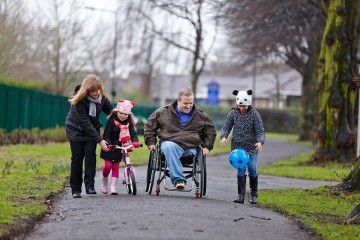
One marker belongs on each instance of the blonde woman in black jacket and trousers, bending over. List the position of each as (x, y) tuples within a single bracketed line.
[(82, 126)]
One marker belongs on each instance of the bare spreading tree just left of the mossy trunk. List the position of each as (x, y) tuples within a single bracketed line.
[(268, 29)]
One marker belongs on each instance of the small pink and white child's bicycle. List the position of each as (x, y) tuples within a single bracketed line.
[(129, 170)]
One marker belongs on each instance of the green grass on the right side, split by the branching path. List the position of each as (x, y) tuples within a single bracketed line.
[(323, 209)]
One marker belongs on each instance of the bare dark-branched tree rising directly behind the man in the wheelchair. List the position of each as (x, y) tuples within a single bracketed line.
[(191, 40)]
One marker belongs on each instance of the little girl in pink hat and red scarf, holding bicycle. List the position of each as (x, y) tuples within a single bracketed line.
[(119, 130)]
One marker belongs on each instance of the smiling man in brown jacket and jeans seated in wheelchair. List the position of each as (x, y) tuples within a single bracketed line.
[(181, 127)]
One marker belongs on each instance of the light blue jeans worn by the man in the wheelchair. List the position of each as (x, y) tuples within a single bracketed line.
[(172, 153)]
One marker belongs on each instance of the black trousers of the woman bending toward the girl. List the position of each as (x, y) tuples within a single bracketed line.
[(79, 152)]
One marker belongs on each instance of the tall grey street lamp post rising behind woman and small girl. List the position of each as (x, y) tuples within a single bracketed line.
[(113, 69)]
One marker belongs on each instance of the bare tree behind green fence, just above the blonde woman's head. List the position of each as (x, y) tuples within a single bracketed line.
[(62, 42)]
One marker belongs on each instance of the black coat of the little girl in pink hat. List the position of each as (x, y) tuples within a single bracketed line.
[(111, 135)]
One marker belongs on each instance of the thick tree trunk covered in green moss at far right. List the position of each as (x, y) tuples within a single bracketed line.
[(334, 86)]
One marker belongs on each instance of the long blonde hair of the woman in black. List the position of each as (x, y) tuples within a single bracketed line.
[(90, 83)]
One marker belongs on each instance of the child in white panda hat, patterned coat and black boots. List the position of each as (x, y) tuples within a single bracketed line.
[(248, 134)]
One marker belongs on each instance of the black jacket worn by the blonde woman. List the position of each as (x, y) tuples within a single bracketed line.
[(80, 126)]
